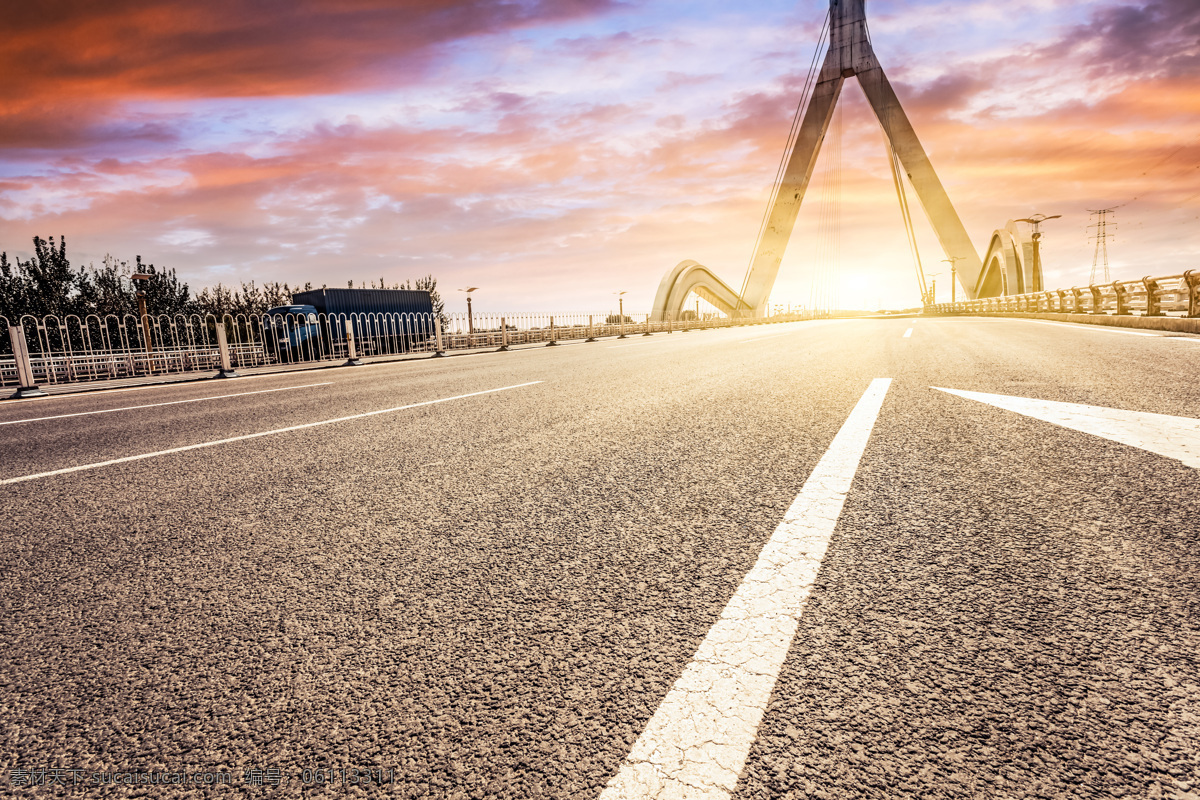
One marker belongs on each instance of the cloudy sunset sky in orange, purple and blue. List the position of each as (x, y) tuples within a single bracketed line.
[(554, 153)]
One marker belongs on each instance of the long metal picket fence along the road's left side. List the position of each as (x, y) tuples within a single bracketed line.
[(68, 351)]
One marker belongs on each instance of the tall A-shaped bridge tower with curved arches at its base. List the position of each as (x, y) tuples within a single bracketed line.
[(850, 55)]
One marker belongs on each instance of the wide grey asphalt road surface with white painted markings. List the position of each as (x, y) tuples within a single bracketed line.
[(497, 576)]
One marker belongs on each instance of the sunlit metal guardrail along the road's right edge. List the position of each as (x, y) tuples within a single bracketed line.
[(1171, 296)]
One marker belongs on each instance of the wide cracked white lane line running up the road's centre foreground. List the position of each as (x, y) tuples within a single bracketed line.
[(697, 743)]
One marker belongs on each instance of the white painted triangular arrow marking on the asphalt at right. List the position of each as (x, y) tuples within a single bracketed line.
[(1175, 437)]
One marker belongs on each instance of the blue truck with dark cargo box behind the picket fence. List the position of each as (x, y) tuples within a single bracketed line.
[(316, 321)]
